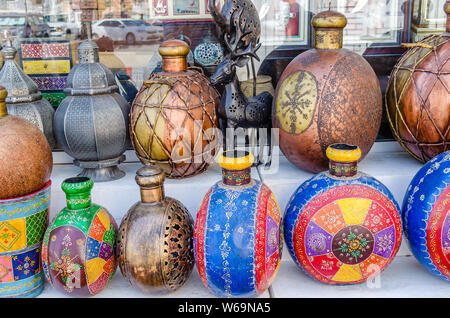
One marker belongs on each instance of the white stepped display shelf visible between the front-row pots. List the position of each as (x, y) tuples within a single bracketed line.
[(387, 162)]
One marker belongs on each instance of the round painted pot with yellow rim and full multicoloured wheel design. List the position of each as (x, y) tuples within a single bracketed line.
[(342, 226)]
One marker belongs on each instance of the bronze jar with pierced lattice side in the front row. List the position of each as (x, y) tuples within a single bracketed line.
[(154, 246)]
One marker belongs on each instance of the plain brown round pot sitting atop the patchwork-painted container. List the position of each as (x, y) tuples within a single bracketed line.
[(25, 156)]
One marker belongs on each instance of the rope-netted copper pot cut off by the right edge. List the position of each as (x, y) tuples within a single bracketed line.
[(418, 96)]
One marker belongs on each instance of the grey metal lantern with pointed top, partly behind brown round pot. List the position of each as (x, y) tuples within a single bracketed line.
[(24, 99)]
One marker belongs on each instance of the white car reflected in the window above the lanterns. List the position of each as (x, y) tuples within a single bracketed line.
[(126, 30)]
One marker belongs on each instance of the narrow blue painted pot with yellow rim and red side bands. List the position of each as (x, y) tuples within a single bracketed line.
[(237, 235)]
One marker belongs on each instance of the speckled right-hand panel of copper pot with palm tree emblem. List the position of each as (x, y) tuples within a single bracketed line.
[(348, 107)]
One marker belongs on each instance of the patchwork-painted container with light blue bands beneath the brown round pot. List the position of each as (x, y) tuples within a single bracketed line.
[(23, 222)]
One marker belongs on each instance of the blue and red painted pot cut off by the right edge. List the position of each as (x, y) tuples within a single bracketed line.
[(426, 215)]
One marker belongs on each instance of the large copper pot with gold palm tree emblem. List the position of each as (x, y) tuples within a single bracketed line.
[(326, 95)]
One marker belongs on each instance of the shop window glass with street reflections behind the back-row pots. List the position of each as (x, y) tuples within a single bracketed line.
[(285, 25)]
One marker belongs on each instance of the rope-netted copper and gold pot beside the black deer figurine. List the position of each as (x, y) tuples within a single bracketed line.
[(172, 116)]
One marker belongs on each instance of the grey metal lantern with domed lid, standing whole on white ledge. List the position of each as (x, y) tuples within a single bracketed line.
[(91, 123)]
